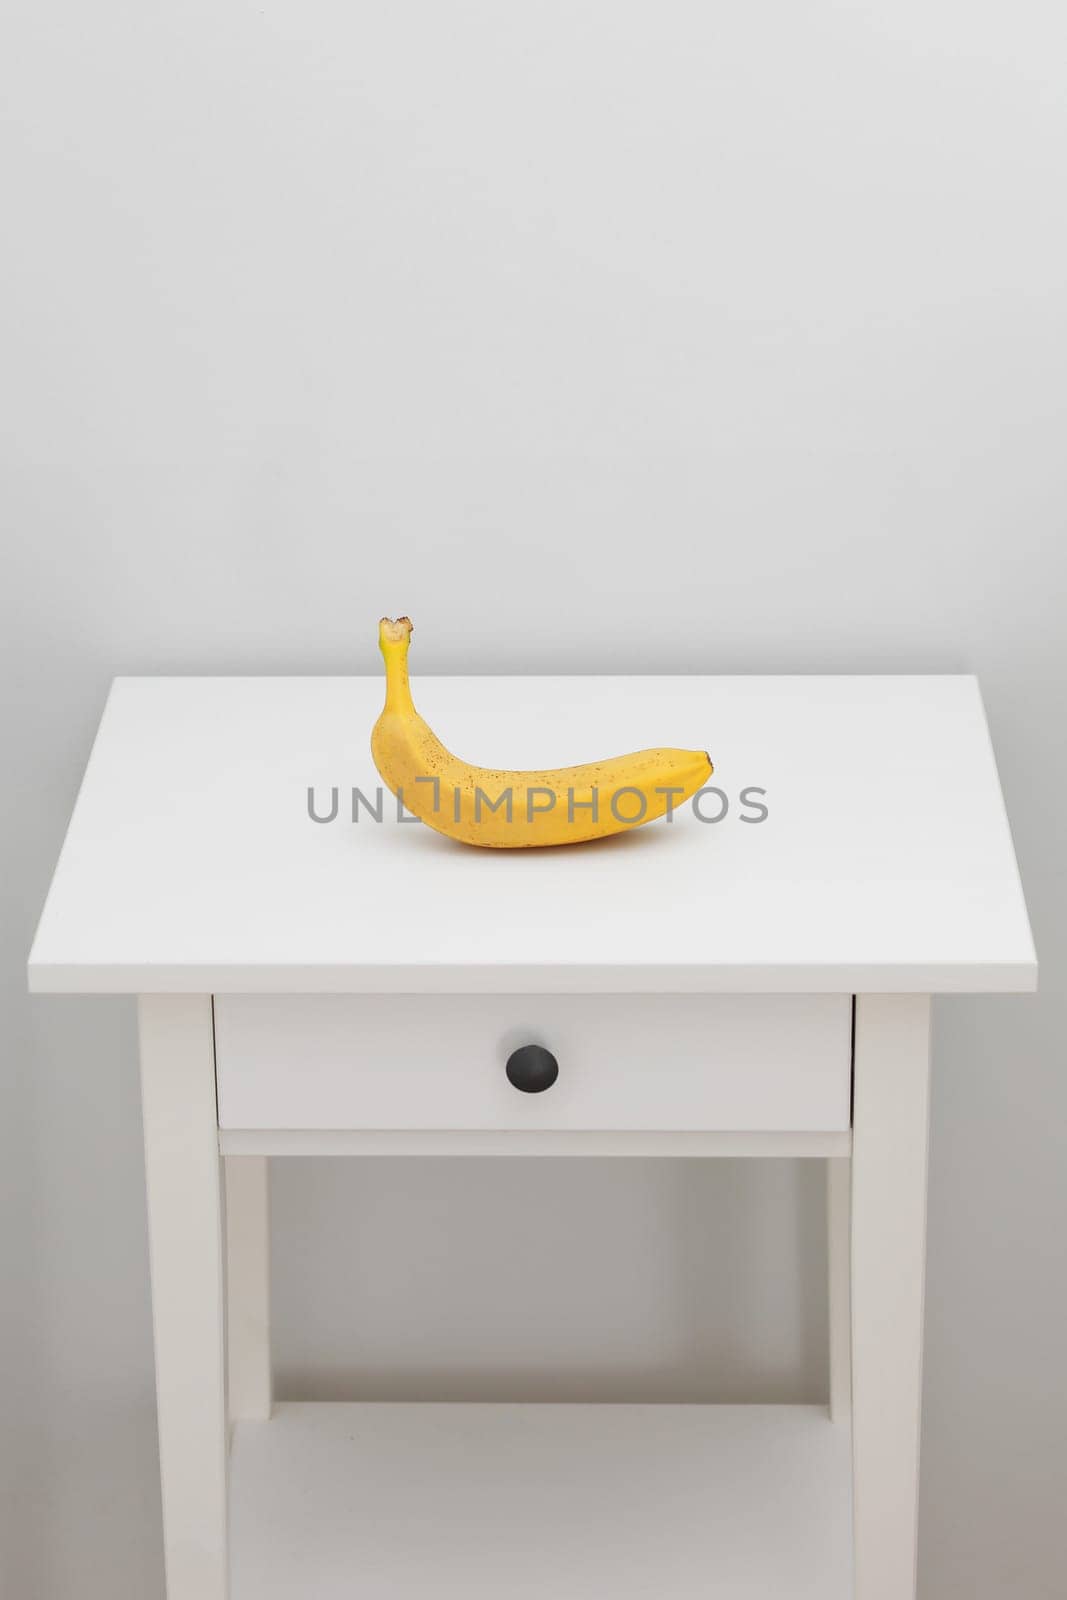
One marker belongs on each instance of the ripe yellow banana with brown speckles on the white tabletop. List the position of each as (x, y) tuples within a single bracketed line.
[(505, 810)]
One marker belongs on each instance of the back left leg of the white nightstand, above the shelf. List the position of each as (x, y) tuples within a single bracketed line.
[(249, 1287)]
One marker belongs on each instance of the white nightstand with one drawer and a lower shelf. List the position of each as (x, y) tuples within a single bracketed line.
[(735, 988)]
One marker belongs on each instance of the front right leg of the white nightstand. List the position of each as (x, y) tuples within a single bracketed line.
[(890, 1137)]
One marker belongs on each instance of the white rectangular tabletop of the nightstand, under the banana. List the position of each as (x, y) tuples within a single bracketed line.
[(884, 865)]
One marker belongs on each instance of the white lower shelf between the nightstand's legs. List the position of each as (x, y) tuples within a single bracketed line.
[(391, 1502)]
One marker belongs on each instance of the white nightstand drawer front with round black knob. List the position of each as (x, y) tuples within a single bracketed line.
[(599, 1063)]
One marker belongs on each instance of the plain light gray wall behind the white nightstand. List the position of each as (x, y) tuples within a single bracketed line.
[(597, 337)]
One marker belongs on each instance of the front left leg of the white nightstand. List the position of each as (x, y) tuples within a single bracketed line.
[(182, 1158)]
